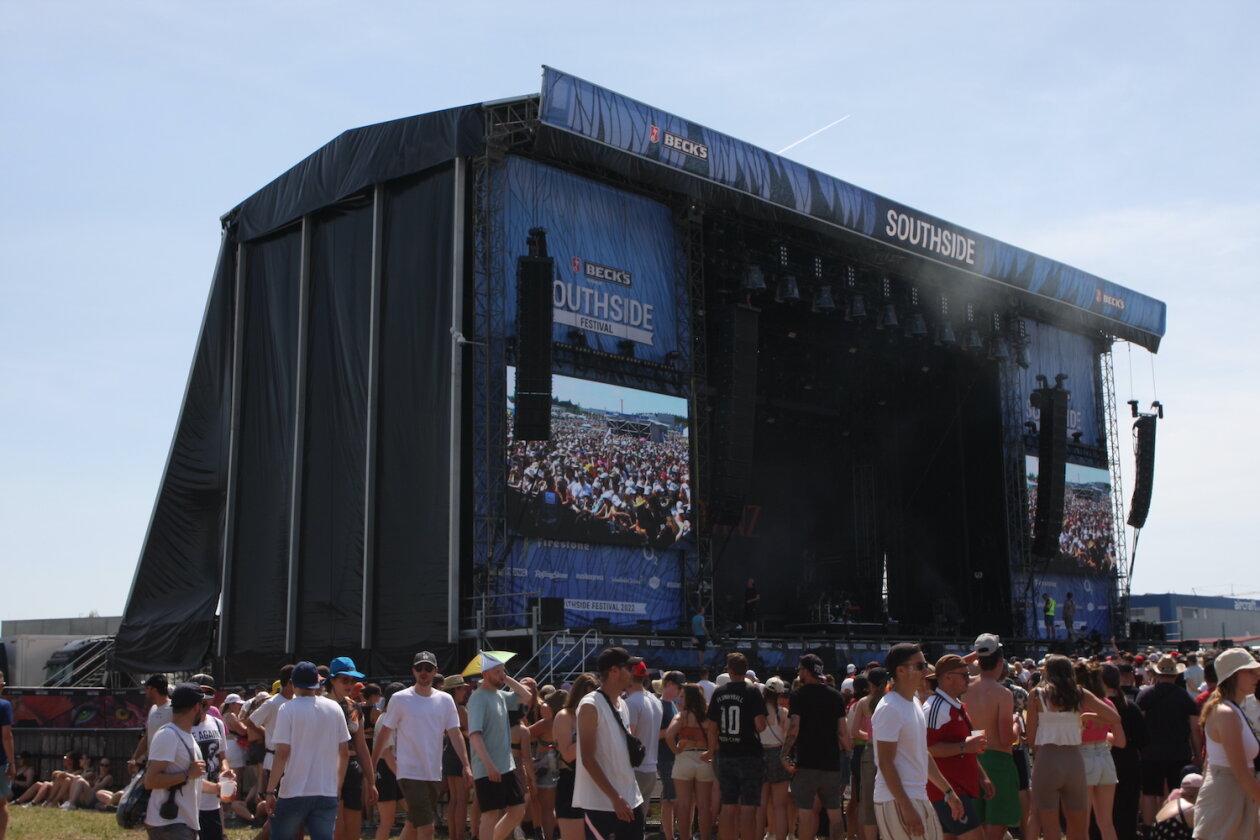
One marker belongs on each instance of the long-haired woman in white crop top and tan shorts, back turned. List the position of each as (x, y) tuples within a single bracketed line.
[(1055, 737)]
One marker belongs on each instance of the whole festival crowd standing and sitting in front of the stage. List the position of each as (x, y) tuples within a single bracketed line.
[(972, 746)]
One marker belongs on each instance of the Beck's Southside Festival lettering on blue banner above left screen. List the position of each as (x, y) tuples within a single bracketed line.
[(602, 312)]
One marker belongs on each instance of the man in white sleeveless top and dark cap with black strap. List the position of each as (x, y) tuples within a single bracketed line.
[(604, 784)]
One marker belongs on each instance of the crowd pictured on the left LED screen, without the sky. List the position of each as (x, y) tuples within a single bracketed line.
[(590, 483)]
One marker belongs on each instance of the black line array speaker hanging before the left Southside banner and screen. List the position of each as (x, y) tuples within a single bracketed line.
[(535, 275)]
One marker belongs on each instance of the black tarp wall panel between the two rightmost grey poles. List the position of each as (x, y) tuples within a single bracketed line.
[(414, 429)]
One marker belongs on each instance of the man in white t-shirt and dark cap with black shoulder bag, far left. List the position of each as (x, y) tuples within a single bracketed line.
[(175, 769)]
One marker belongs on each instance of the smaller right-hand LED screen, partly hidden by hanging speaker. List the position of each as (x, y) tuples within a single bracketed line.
[(1087, 542)]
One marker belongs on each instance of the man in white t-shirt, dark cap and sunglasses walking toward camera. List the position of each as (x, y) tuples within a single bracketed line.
[(420, 717)]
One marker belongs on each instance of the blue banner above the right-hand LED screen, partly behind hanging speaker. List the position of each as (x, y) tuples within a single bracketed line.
[(1053, 352)]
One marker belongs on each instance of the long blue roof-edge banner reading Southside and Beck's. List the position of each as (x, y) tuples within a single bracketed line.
[(579, 108)]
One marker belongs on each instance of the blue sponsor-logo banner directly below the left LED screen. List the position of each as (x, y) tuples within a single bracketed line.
[(614, 582)]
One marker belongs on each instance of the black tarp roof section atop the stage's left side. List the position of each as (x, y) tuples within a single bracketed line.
[(357, 159)]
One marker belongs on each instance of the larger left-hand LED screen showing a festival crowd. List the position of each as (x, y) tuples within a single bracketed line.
[(617, 468)]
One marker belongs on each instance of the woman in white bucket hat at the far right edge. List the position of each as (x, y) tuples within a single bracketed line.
[(1227, 805)]
